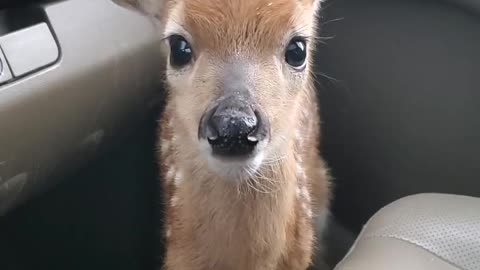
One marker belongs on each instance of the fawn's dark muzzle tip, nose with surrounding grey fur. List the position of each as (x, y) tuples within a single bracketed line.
[(233, 127)]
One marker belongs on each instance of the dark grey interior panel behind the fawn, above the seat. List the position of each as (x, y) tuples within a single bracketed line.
[(401, 105)]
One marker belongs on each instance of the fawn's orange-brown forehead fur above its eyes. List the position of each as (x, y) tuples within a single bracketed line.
[(236, 25)]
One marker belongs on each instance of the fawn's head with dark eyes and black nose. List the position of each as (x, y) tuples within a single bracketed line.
[(235, 72)]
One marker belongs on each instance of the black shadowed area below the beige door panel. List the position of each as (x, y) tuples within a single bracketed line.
[(106, 216)]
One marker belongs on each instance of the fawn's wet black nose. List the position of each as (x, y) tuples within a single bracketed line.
[(231, 130)]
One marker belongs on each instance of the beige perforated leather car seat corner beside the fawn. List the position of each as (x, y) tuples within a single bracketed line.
[(420, 232)]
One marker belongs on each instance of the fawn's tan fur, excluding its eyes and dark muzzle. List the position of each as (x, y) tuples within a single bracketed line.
[(264, 223)]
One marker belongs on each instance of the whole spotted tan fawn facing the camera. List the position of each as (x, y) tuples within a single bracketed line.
[(245, 185)]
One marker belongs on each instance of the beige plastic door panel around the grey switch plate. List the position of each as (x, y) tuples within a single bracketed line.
[(54, 120)]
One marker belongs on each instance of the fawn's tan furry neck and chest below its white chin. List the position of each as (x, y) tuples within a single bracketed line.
[(235, 222)]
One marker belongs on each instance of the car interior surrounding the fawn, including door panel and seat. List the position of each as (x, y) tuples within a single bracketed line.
[(81, 90)]
